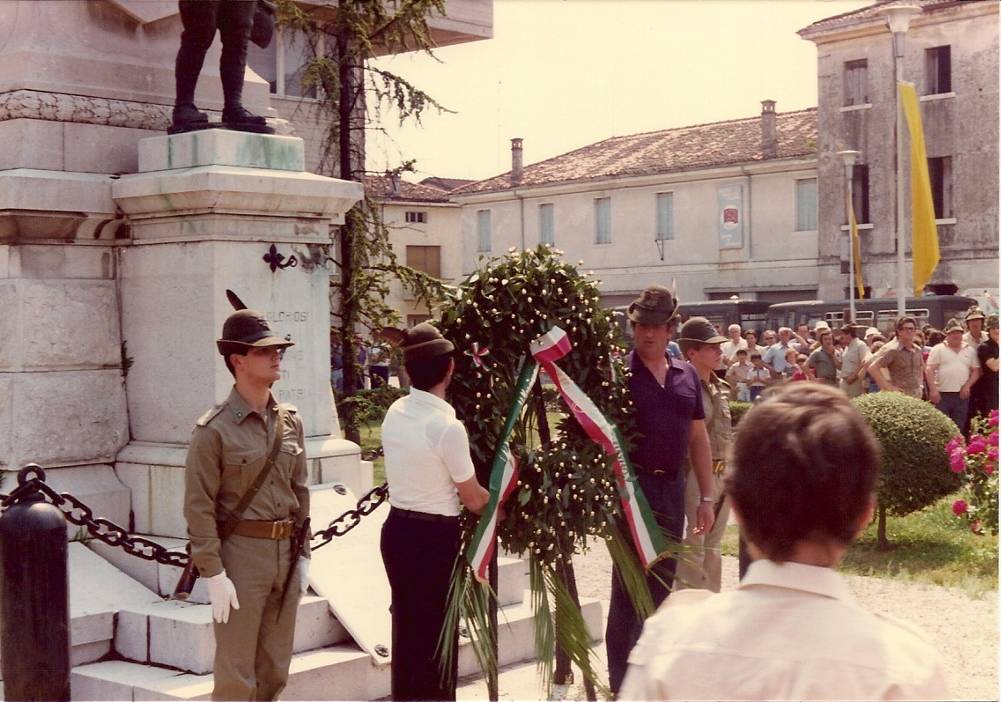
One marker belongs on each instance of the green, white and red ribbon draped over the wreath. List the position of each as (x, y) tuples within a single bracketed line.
[(546, 351)]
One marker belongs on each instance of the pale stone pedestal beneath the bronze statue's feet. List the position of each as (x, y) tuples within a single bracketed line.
[(205, 211)]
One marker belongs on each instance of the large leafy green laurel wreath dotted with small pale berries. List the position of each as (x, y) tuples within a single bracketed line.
[(567, 489)]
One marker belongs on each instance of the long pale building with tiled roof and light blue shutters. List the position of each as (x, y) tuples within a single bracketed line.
[(713, 210)]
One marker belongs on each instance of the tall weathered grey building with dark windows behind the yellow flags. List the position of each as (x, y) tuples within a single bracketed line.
[(951, 56)]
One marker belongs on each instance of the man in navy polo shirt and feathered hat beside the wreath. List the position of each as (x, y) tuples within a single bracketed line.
[(671, 419)]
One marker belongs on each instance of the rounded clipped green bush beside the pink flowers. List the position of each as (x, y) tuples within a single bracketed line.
[(913, 434)]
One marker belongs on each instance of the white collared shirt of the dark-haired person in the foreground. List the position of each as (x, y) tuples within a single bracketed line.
[(789, 632)]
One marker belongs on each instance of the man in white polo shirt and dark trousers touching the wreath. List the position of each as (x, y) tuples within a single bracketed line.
[(430, 473)]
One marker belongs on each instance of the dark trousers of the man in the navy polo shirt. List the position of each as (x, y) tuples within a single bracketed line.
[(667, 499)]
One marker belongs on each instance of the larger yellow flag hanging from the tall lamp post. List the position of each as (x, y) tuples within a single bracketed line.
[(924, 236)]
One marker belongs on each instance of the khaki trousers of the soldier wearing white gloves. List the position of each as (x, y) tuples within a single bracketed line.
[(255, 648)]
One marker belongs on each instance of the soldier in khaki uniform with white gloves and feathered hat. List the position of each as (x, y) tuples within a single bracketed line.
[(257, 575)]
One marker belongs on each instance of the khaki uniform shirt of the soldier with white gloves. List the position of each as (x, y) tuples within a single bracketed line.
[(230, 447)]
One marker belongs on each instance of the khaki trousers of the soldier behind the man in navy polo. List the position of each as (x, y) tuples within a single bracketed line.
[(703, 569)]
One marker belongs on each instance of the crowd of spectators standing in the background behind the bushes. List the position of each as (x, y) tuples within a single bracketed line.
[(956, 368)]
